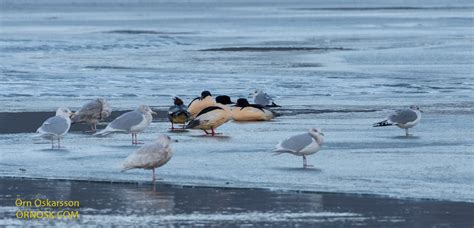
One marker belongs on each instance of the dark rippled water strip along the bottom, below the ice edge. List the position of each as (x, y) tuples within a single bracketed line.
[(128, 204)]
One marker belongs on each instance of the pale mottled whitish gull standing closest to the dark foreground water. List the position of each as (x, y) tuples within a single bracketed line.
[(150, 156)]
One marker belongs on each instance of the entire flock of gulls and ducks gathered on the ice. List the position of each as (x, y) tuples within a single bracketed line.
[(204, 113)]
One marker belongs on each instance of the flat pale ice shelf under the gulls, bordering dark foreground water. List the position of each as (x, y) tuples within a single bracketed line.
[(356, 158)]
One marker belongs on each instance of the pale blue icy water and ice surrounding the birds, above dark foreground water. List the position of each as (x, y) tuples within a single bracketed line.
[(339, 65)]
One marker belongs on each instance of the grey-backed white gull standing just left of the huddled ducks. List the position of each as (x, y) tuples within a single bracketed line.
[(132, 122)]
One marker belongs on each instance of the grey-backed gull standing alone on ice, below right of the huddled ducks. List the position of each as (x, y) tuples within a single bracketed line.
[(302, 144)]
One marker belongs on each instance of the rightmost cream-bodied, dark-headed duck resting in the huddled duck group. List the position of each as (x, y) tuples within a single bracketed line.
[(243, 111)]
